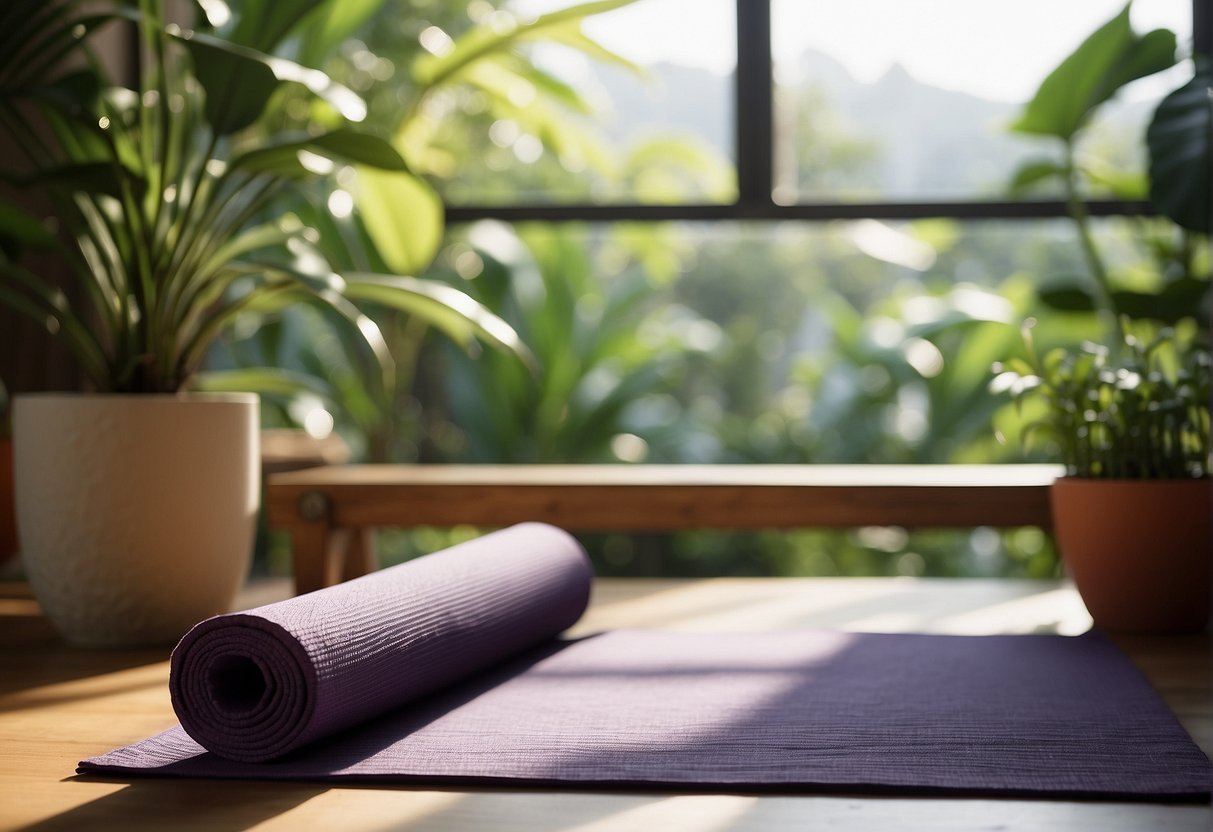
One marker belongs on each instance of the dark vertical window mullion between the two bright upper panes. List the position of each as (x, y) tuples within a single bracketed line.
[(754, 110)]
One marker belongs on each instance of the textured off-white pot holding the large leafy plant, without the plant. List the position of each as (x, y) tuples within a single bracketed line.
[(135, 514)]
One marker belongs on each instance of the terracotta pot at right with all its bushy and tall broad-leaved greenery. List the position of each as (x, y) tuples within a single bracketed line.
[(1131, 415)]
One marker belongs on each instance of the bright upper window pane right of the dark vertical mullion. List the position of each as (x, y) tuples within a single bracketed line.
[(886, 100)]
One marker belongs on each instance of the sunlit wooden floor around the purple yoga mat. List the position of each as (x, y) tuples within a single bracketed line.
[(59, 705)]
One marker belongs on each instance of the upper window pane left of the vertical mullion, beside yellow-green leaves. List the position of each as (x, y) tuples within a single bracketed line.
[(654, 133)]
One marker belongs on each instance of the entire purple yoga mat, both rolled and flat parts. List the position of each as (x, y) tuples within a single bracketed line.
[(446, 670)]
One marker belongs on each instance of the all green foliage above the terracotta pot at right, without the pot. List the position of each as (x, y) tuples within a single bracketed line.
[(1137, 404)]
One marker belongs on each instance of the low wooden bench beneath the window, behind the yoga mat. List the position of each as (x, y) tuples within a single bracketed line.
[(332, 512)]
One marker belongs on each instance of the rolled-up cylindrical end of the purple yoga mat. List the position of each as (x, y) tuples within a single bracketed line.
[(257, 686)]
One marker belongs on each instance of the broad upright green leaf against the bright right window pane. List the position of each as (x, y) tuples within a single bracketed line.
[(1112, 58)]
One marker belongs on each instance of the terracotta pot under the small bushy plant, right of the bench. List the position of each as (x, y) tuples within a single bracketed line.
[(1141, 552)]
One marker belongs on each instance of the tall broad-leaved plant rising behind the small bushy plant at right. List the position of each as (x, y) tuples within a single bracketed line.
[(1177, 141)]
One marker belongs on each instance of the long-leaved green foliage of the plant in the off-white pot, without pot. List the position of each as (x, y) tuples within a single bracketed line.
[(163, 191)]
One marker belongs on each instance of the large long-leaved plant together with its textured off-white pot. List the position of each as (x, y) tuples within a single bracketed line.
[(136, 502)]
